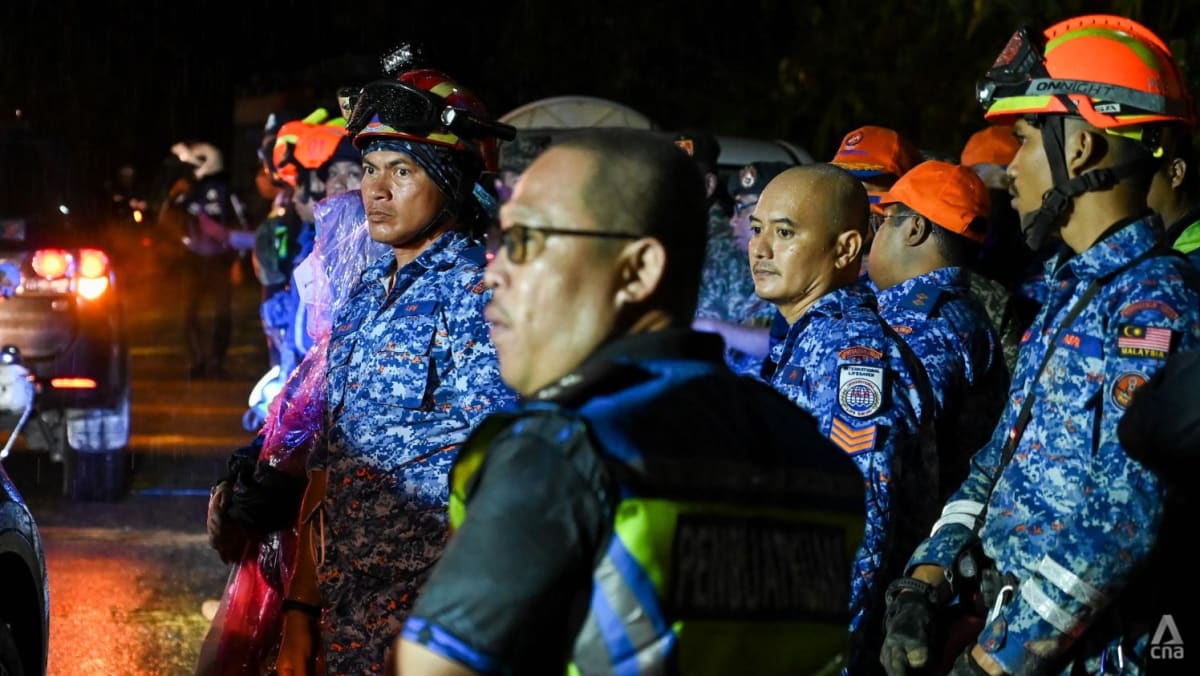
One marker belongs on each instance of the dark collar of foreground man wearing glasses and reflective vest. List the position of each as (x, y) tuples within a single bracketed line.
[(611, 361)]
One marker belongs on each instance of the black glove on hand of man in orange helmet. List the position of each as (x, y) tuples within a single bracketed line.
[(908, 627)]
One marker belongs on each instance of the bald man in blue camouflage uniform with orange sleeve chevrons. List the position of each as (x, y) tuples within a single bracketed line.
[(842, 363)]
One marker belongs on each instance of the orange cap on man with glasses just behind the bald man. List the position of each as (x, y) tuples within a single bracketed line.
[(950, 195)]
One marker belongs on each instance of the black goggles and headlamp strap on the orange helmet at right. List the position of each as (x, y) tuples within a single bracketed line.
[(1021, 71)]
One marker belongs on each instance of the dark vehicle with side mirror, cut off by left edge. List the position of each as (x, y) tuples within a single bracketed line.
[(25, 594)]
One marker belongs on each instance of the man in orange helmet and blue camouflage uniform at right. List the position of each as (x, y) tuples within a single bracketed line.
[(1054, 517)]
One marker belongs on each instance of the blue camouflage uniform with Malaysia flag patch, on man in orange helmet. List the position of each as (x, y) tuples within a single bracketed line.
[(1072, 516)]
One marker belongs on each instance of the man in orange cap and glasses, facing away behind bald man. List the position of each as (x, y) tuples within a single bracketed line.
[(937, 219)]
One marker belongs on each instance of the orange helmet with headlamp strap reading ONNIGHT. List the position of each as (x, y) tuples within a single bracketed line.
[(1112, 71)]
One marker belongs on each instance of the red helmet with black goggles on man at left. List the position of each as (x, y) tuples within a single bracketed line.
[(425, 106)]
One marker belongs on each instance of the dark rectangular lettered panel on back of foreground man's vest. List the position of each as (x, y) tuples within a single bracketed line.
[(745, 569)]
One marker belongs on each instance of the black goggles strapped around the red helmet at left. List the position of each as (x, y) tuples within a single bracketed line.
[(413, 111)]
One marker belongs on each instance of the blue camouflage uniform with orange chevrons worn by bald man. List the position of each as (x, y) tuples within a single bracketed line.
[(865, 387)]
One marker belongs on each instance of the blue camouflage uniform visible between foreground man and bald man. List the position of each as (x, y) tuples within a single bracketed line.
[(727, 290)]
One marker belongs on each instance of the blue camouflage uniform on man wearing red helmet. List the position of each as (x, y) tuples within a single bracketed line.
[(411, 374)]
